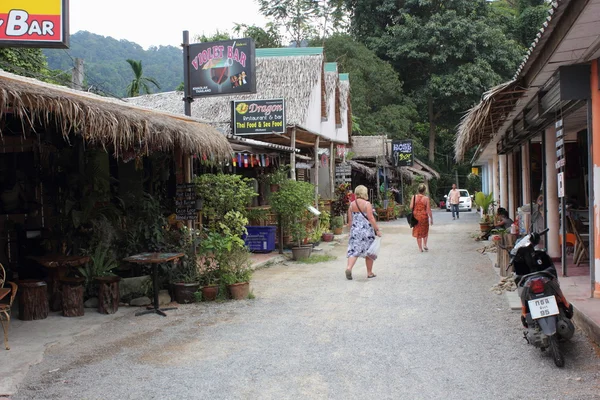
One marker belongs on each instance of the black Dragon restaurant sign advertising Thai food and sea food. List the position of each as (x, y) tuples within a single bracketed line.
[(256, 117)]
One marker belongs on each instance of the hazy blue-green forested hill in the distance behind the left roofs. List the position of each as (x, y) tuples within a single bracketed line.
[(105, 66)]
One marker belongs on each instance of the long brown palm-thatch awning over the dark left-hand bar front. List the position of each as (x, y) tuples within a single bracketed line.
[(107, 122)]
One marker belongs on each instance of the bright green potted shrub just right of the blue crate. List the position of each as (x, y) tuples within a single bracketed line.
[(291, 202)]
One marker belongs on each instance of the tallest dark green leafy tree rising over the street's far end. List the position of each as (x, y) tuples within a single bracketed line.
[(446, 52)]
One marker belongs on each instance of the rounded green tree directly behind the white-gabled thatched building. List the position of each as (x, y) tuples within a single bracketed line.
[(376, 89)]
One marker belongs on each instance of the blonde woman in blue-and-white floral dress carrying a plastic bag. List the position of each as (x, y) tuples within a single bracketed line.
[(363, 229)]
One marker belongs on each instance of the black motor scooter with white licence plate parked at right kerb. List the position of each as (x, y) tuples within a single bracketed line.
[(546, 314)]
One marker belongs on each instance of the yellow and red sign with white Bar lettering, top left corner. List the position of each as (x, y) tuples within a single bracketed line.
[(34, 23)]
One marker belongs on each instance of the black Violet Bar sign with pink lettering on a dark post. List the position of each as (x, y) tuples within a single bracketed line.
[(225, 67)]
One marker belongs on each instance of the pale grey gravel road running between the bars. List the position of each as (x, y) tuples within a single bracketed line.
[(426, 328)]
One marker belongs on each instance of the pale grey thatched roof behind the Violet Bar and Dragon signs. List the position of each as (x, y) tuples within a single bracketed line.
[(290, 77)]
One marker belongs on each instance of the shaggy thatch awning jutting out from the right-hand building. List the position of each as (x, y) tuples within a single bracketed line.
[(481, 122)]
